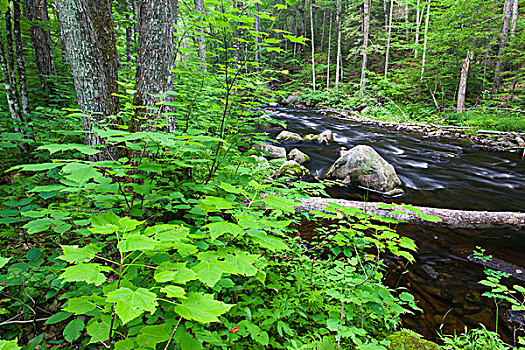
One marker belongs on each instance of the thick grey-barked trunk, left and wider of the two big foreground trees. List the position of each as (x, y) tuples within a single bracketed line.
[(87, 29)]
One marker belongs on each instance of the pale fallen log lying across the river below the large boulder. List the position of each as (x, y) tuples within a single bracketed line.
[(454, 219)]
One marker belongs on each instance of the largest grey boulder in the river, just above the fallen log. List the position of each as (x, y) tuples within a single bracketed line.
[(363, 166)]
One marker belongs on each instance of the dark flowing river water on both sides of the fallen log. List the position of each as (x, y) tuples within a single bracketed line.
[(435, 173)]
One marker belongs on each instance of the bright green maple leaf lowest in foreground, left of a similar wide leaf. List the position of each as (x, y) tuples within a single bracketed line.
[(131, 304)]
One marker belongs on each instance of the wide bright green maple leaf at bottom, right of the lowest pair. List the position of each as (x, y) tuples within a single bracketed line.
[(202, 307)]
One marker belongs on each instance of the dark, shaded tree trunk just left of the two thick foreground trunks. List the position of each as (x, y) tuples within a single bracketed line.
[(42, 44)]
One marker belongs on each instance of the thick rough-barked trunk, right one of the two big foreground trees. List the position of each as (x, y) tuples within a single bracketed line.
[(154, 60)]
